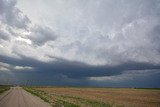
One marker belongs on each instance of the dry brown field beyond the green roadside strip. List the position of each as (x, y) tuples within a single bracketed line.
[(114, 96)]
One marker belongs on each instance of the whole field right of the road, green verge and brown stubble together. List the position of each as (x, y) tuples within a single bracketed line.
[(98, 97)]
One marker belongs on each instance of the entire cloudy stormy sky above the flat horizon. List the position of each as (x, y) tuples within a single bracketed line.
[(103, 43)]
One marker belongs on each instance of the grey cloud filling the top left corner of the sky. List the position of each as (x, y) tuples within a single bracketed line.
[(11, 15)]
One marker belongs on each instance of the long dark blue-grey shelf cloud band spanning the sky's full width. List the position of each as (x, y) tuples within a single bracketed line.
[(77, 69)]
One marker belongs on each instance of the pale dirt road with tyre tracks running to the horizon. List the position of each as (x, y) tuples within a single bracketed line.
[(17, 97)]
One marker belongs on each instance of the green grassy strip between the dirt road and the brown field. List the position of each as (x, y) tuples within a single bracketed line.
[(64, 100)]
